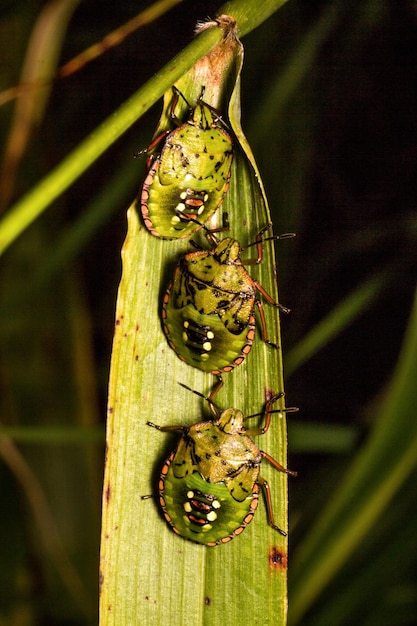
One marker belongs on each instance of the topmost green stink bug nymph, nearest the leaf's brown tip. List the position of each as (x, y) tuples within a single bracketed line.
[(187, 181)]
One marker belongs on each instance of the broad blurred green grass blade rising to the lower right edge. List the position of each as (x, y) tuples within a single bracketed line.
[(370, 485)]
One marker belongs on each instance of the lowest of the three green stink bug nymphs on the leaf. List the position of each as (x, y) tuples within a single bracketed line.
[(209, 486)]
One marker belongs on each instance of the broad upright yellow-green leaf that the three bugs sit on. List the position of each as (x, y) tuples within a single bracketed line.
[(149, 575)]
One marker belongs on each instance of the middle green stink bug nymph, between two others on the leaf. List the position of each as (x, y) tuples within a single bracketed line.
[(208, 309)]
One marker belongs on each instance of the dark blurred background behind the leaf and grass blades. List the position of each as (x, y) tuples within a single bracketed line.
[(337, 151)]
